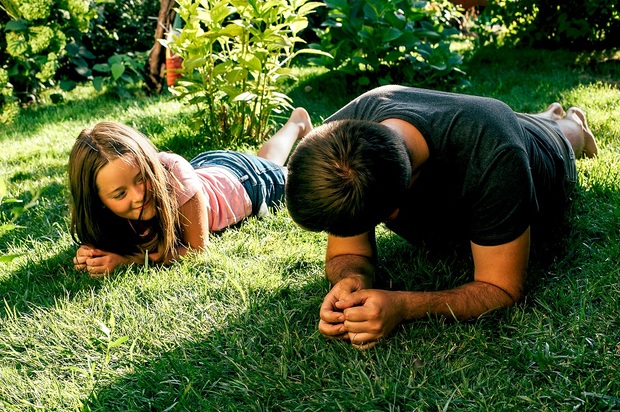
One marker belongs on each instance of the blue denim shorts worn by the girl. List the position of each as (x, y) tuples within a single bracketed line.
[(262, 179)]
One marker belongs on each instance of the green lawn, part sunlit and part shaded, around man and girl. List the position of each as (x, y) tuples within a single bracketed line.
[(235, 328)]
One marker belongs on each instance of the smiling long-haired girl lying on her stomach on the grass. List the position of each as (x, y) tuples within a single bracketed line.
[(130, 201)]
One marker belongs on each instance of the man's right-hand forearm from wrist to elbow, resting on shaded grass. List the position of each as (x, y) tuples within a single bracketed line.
[(465, 302)]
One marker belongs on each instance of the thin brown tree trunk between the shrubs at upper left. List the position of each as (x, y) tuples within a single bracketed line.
[(156, 64)]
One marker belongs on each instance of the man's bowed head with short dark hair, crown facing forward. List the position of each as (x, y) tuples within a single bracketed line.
[(347, 176)]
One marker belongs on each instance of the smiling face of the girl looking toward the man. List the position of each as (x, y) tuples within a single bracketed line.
[(123, 189)]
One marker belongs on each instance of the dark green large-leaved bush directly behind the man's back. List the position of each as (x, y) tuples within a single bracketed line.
[(405, 42)]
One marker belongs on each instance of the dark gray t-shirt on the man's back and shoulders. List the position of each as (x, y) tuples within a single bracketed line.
[(485, 169)]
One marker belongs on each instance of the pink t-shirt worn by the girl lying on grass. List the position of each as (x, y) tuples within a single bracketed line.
[(228, 202)]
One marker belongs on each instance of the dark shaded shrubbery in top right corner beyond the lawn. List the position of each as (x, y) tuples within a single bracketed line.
[(578, 25)]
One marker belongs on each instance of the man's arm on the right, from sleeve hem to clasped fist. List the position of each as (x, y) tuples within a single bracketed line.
[(499, 277)]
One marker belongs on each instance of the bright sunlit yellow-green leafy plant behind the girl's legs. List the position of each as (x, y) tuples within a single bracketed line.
[(236, 58)]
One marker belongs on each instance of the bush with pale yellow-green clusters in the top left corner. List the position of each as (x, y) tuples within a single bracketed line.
[(59, 43)]
